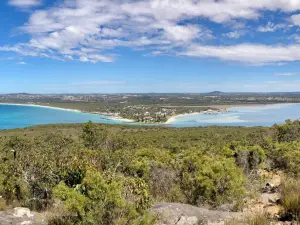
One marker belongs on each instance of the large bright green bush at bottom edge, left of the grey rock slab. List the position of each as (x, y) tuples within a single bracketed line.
[(105, 198)]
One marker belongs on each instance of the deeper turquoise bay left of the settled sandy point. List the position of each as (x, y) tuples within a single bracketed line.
[(16, 116)]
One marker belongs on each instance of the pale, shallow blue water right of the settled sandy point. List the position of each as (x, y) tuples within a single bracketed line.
[(250, 116)]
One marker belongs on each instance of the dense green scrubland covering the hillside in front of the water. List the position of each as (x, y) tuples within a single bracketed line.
[(103, 174)]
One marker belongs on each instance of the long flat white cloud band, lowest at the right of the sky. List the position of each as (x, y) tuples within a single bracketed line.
[(247, 53)]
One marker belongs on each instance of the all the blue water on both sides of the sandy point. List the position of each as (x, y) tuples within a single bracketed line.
[(16, 116)]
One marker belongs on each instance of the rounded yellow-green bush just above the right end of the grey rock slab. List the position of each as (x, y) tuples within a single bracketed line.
[(210, 179)]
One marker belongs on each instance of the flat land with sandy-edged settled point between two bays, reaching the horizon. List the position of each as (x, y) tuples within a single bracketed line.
[(150, 108)]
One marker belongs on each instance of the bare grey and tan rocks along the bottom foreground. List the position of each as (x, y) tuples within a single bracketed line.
[(182, 214)]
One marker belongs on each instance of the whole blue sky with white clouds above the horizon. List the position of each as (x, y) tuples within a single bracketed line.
[(141, 46)]
